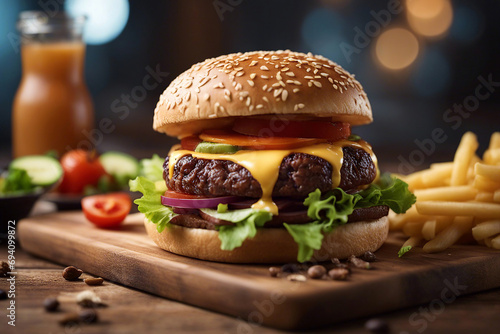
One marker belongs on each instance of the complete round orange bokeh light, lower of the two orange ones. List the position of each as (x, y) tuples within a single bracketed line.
[(396, 48)]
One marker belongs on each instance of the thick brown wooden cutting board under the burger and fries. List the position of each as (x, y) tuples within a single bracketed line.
[(129, 257)]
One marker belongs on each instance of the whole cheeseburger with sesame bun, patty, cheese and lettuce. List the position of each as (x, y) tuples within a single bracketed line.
[(267, 170)]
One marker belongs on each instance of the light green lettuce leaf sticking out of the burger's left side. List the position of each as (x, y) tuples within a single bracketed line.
[(150, 202)]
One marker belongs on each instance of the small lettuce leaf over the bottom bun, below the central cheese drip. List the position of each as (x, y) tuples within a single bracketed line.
[(246, 222)]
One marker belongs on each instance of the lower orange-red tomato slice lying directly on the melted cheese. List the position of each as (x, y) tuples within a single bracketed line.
[(258, 143)]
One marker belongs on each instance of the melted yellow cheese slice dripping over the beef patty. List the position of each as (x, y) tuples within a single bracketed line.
[(264, 165)]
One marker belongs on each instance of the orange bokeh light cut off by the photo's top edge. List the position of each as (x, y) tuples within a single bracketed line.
[(429, 18)]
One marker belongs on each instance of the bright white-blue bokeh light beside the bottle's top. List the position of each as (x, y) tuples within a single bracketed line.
[(106, 19)]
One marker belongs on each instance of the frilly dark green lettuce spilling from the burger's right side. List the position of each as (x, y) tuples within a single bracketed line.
[(333, 208)]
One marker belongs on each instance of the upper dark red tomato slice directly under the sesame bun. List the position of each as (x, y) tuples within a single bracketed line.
[(259, 127)]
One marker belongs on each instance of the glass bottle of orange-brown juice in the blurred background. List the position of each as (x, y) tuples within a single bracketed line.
[(52, 109)]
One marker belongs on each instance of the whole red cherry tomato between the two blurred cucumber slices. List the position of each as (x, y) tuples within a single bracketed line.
[(81, 168)]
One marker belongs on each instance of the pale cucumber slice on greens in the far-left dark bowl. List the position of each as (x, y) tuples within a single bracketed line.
[(43, 170)]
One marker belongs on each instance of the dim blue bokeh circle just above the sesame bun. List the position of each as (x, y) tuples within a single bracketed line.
[(322, 33)]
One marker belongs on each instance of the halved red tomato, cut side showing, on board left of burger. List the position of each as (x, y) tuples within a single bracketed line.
[(107, 210)]
